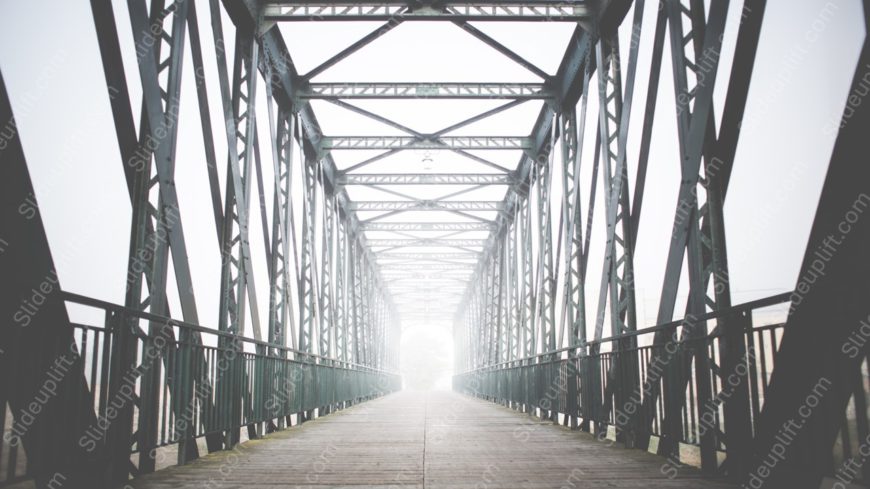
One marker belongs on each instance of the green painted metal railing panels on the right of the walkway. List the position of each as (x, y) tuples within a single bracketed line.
[(559, 383)]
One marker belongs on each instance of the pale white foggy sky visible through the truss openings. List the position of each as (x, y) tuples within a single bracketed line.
[(50, 63)]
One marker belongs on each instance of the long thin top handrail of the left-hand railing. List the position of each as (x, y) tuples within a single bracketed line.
[(101, 304)]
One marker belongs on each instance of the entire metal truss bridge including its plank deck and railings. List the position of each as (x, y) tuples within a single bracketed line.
[(558, 381)]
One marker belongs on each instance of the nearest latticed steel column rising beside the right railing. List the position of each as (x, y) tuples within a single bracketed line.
[(696, 63)]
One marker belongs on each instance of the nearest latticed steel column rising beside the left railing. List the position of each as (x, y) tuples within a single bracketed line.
[(157, 210)]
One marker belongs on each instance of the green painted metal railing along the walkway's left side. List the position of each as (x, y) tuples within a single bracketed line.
[(259, 388)]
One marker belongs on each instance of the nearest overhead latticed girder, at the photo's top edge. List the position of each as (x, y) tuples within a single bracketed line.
[(541, 11)]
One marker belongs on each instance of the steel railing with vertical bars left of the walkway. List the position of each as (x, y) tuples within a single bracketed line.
[(153, 381)]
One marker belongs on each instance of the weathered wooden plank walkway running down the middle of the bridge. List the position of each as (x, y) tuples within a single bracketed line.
[(429, 440)]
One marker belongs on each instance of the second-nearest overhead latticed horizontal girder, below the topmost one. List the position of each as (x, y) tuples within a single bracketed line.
[(359, 90)]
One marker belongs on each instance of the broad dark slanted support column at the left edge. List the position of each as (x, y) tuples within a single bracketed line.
[(41, 364)]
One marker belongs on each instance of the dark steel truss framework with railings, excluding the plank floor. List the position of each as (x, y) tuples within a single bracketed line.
[(345, 274)]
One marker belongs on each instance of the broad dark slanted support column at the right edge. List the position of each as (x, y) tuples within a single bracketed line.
[(825, 341)]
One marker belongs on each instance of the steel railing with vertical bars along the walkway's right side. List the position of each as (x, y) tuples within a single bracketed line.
[(646, 383)]
